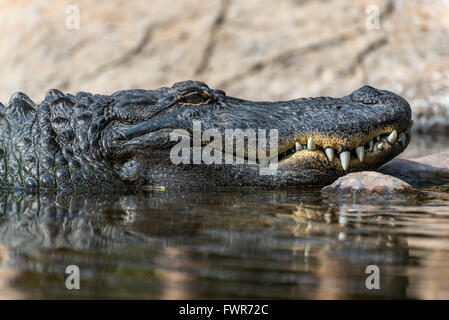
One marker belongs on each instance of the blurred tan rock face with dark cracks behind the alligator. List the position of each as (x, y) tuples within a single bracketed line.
[(253, 49)]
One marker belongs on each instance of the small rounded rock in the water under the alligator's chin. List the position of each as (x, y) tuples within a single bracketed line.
[(370, 185)]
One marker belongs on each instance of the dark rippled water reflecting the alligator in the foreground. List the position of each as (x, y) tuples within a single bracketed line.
[(232, 243)]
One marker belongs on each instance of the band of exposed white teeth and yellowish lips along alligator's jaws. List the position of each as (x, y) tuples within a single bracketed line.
[(367, 156)]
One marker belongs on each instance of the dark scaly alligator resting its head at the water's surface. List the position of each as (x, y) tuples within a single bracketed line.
[(87, 141)]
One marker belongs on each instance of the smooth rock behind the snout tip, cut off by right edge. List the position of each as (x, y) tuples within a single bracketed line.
[(425, 171)]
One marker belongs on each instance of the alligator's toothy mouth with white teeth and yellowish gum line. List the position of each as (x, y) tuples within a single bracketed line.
[(377, 148)]
